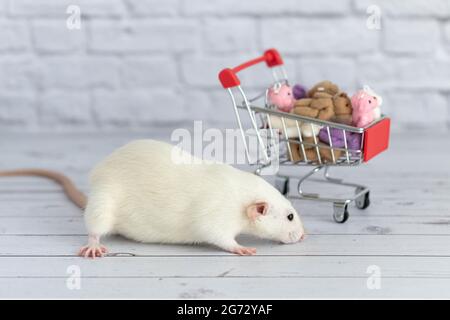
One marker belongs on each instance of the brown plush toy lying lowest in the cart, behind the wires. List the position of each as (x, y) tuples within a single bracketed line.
[(311, 152)]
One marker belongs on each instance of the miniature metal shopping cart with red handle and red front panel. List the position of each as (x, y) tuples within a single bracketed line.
[(374, 138)]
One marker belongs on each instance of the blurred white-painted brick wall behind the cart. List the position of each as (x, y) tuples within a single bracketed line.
[(140, 64)]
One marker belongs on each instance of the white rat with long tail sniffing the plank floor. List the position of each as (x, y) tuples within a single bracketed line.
[(143, 192)]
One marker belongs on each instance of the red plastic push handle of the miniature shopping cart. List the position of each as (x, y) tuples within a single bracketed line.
[(228, 76)]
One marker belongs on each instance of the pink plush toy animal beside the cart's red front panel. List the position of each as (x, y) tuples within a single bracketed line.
[(363, 105)]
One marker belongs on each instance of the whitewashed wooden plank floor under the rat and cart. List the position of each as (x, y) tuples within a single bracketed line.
[(404, 234)]
